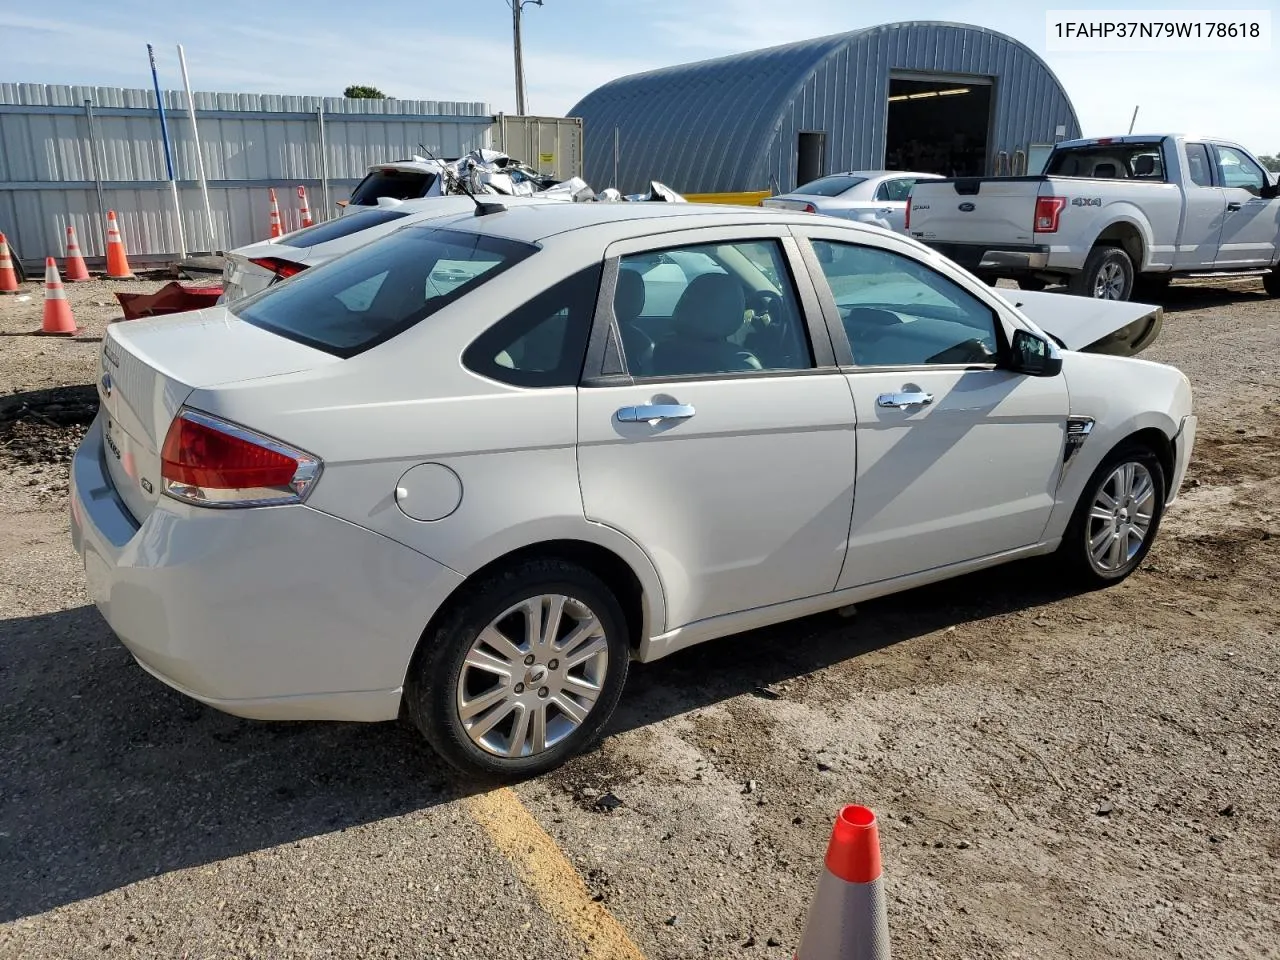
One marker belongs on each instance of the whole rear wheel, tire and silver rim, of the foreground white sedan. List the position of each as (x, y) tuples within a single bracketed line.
[(523, 674)]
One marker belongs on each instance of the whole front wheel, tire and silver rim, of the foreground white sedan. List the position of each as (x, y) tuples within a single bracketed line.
[(1117, 519)]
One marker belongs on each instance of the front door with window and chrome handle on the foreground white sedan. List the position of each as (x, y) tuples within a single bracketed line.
[(958, 459)]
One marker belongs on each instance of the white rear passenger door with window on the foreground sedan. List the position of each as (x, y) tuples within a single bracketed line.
[(715, 428)]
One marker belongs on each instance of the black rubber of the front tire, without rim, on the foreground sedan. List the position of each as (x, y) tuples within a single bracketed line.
[(1075, 552)]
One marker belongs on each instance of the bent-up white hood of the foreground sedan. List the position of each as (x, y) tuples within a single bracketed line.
[(1119, 328)]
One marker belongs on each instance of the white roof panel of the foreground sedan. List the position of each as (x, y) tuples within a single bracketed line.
[(536, 223)]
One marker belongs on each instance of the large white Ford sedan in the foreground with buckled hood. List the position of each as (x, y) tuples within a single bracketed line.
[(619, 431)]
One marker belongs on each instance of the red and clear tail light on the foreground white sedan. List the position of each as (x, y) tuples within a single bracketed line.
[(217, 464)]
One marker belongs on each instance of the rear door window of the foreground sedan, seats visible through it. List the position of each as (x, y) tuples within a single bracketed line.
[(710, 309)]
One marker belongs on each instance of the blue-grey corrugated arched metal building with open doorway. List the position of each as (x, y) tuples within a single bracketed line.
[(921, 97)]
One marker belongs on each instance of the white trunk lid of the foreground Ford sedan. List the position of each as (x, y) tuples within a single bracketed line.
[(149, 368)]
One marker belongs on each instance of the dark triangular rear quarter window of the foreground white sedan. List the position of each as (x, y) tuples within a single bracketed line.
[(543, 342)]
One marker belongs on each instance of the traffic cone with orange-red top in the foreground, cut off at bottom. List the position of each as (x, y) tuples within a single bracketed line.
[(848, 918)]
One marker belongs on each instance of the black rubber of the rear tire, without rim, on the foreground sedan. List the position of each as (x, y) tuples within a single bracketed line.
[(432, 685)]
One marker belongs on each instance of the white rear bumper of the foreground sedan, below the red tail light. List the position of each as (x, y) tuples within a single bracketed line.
[(272, 614)]
